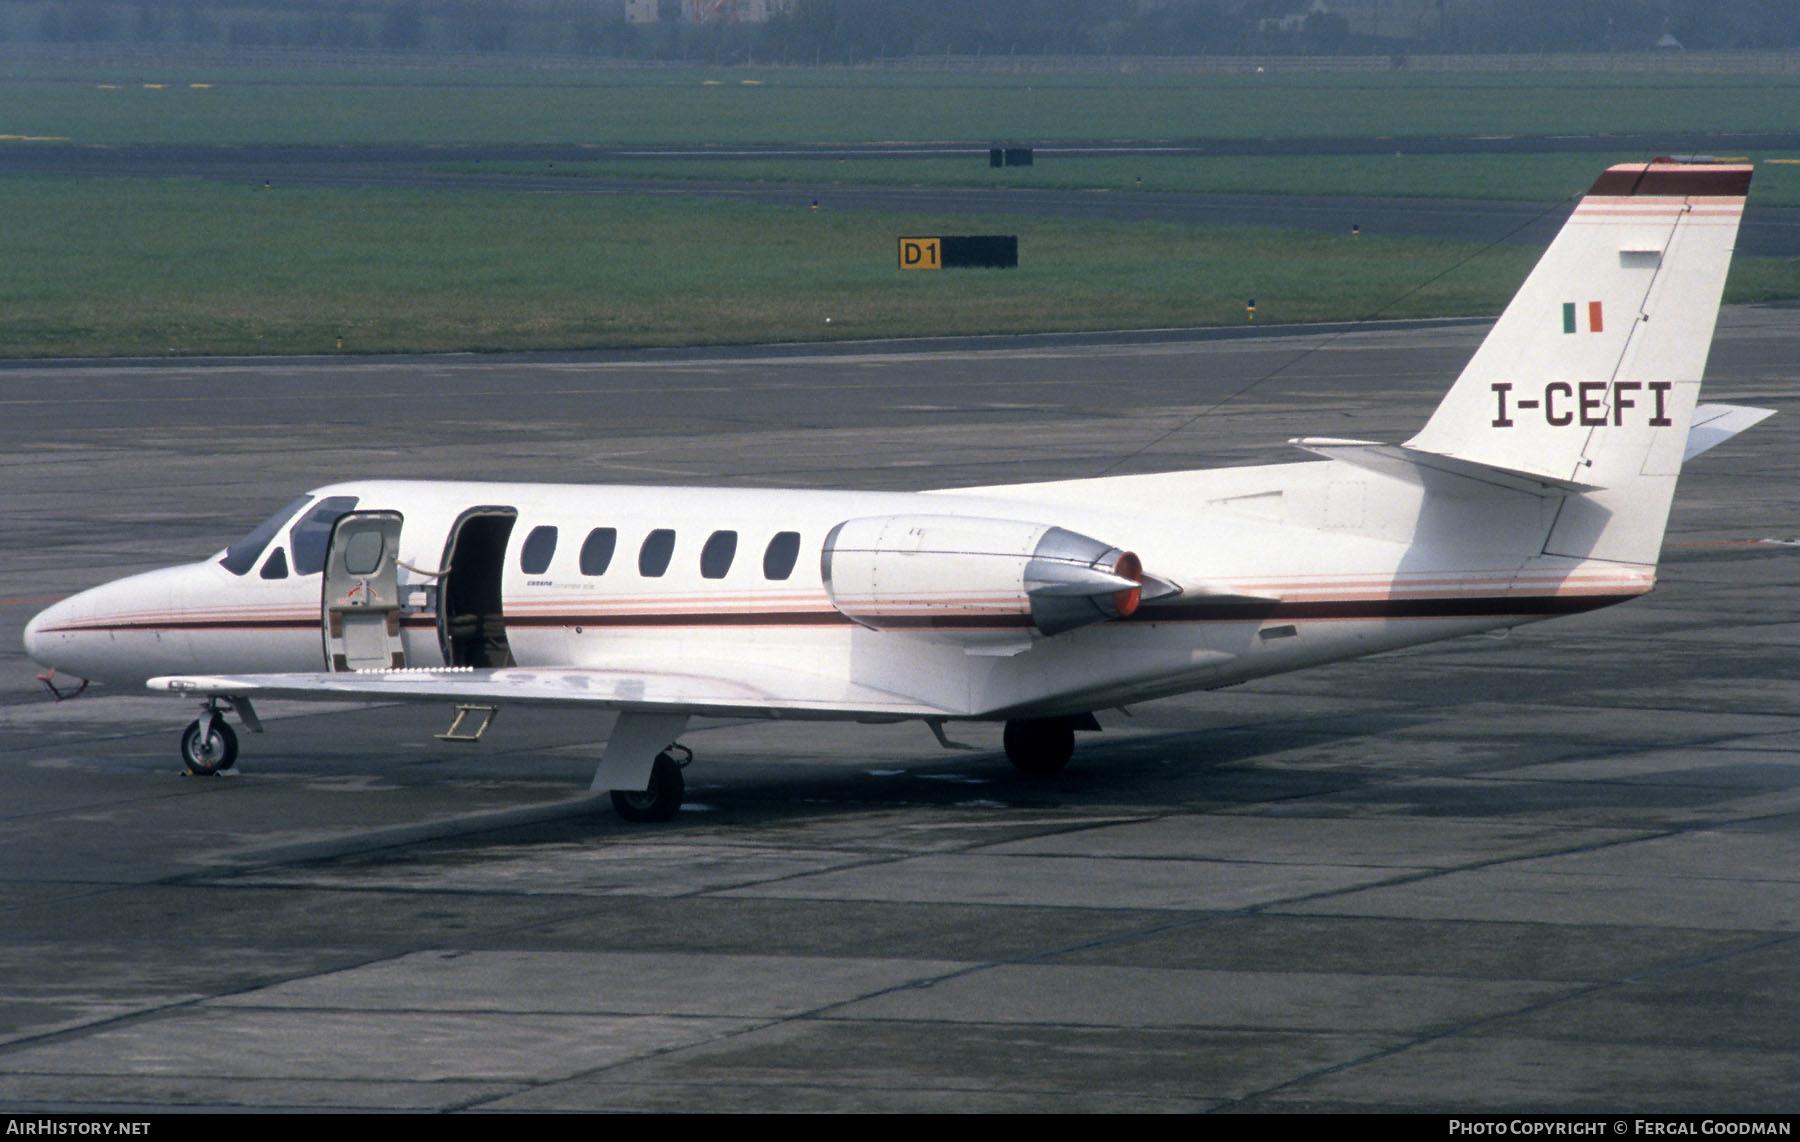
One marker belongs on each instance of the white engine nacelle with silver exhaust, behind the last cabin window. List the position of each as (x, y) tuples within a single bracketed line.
[(975, 576)]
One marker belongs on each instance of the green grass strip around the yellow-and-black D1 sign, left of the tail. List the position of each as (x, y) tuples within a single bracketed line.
[(190, 267)]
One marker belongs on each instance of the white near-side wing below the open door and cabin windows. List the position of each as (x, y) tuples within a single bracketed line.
[(692, 687)]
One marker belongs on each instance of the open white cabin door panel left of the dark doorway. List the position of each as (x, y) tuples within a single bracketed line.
[(363, 594)]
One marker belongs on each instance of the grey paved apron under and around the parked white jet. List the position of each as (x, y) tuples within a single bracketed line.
[(1558, 871)]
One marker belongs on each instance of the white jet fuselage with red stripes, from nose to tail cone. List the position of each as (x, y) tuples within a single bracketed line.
[(1275, 568)]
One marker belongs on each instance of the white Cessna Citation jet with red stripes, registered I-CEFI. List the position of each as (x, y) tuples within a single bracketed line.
[(1540, 487)]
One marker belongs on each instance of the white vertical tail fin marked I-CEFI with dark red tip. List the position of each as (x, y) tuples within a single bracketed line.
[(1592, 376)]
